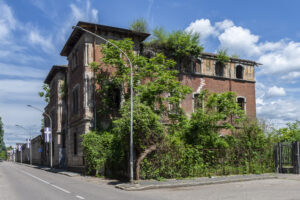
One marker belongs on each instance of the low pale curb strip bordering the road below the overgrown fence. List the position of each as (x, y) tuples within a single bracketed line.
[(138, 187)]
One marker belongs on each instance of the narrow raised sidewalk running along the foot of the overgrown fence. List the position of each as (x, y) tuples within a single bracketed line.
[(173, 183)]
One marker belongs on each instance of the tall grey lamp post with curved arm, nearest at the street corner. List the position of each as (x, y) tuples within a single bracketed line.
[(131, 95)]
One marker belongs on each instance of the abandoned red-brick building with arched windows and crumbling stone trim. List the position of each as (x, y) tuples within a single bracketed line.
[(72, 93)]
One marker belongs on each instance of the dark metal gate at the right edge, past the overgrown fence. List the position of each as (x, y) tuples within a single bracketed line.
[(287, 157)]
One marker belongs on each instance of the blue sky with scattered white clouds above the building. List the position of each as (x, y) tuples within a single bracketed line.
[(33, 32)]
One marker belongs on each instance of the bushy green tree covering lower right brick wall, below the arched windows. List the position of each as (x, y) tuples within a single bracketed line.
[(220, 111)]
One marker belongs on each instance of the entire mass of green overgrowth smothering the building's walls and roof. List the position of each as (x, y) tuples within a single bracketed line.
[(167, 144)]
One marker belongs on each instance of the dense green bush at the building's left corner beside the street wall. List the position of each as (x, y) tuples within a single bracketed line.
[(97, 149)]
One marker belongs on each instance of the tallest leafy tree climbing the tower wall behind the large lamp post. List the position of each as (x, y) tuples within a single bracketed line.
[(155, 85)]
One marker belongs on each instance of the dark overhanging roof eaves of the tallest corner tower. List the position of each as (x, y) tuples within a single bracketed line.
[(96, 28)]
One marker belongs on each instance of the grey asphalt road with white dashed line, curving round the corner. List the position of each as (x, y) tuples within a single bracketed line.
[(22, 182)]
